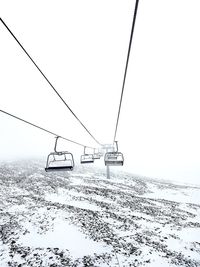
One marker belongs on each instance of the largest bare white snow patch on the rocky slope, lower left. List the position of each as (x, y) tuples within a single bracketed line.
[(64, 236)]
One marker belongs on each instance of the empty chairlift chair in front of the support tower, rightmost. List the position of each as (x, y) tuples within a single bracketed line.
[(114, 158)]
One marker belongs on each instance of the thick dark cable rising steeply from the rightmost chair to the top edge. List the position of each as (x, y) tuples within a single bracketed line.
[(126, 67)]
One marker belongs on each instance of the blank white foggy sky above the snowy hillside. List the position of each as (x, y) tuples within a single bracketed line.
[(81, 46)]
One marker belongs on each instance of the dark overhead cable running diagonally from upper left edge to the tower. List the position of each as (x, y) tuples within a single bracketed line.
[(48, 80)]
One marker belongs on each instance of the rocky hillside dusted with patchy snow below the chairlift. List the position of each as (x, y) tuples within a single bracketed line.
[(82, 219)]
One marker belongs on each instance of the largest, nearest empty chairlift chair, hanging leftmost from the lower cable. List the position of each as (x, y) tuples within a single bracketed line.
[(59, 161)]
